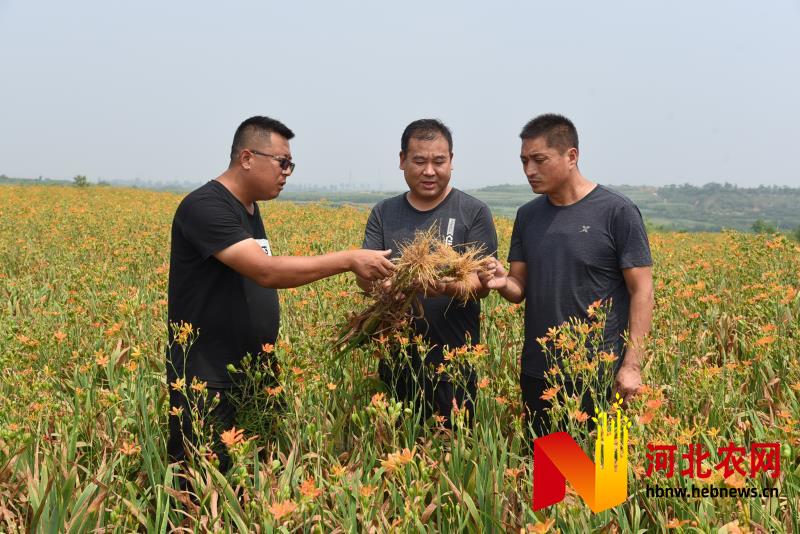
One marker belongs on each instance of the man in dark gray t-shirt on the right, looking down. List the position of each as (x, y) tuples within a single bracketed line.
[(577, 243)]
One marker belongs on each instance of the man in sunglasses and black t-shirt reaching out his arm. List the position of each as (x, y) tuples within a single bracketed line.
[(223, 277)]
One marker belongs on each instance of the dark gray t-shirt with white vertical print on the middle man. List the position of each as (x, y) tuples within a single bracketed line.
[(461, 220)]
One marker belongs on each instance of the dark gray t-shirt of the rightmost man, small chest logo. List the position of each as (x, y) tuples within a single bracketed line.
[(574, 256)]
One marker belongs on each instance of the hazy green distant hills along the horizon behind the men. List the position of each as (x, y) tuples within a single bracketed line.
[(710, 207)]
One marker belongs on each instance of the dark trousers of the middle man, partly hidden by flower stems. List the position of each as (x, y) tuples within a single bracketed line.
[(428, 392)]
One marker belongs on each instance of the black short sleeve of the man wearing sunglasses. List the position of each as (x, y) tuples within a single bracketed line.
[(210, 225)]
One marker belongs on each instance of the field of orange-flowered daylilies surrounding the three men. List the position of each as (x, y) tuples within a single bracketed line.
[(84, 411)]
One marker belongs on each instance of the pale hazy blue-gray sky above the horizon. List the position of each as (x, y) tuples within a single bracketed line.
[(661, 91)]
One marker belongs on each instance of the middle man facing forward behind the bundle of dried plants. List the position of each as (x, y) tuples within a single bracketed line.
[(426, 160)]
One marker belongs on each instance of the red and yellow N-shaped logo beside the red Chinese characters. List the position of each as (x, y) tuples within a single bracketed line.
[(603, 484)]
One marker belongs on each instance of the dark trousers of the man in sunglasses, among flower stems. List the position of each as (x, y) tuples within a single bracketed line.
[(222, 417)]
